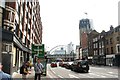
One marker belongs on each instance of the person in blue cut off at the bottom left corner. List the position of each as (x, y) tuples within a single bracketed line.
[(3, 75)]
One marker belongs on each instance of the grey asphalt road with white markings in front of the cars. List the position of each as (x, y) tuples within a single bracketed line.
[(94, 72)]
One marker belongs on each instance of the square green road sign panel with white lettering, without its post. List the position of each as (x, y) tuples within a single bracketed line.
[(38, 49)]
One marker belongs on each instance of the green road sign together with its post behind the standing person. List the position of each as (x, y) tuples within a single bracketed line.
[(38, 50)]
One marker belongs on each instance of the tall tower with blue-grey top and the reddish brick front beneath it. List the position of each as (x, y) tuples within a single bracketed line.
[(85, 26)]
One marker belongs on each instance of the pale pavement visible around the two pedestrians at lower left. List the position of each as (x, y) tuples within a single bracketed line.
[(17, 75)]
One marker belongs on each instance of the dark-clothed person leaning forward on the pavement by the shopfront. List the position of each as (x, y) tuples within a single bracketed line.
[(24, 70)]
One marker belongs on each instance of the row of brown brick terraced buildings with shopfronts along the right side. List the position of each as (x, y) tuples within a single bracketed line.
[(104, 47)]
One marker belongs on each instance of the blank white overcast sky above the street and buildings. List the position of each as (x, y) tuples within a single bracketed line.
[(60, 19)]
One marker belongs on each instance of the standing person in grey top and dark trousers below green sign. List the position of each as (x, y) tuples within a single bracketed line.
[(38, 69)]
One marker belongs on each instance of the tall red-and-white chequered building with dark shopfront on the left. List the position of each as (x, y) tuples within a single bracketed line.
[(21, 28)]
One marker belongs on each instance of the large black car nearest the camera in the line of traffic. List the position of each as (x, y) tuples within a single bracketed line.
[(80, 66)]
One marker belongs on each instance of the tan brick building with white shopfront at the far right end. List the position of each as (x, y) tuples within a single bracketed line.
[(112, 45)]
